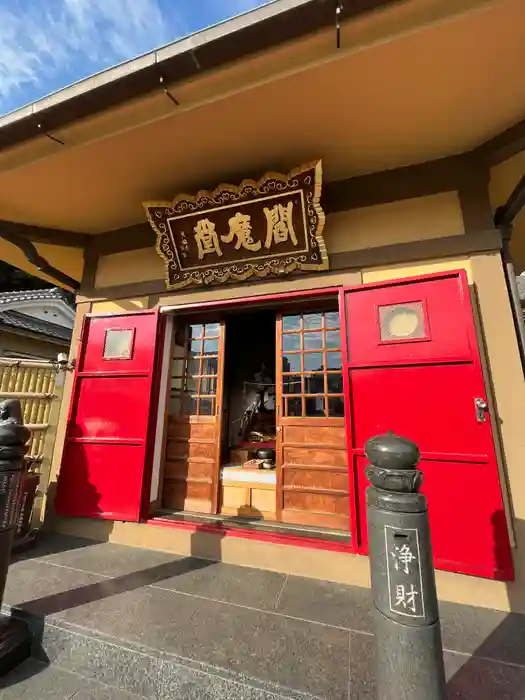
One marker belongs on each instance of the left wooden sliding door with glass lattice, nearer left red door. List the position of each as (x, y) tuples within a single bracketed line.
[(191, 470)]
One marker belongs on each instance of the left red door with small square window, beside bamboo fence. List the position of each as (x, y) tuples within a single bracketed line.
[(107, 448)]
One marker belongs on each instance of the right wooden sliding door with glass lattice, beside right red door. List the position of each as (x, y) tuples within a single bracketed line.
[(312, 465)]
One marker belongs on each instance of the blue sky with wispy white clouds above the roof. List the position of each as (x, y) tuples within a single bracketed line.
[(48, 44)]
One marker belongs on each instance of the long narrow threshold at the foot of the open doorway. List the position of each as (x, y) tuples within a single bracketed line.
[(255, 525)]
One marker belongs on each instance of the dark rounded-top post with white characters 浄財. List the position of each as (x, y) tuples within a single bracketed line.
[(410, 662)]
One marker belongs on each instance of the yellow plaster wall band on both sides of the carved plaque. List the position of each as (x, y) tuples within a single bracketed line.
[(435, 216)]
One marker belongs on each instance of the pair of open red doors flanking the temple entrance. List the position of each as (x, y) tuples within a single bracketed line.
[(412, 366)]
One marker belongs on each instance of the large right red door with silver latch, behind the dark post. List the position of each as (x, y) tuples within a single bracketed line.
[(414, 368)]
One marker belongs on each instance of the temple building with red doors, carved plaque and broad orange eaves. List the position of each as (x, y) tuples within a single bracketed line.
[(287, 234)]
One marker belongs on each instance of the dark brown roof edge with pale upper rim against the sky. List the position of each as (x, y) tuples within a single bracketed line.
[(255, 31)]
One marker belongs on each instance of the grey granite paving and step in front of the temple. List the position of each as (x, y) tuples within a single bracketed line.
[(118, 622)]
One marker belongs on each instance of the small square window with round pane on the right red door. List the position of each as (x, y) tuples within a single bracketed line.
[(403, 322)]
